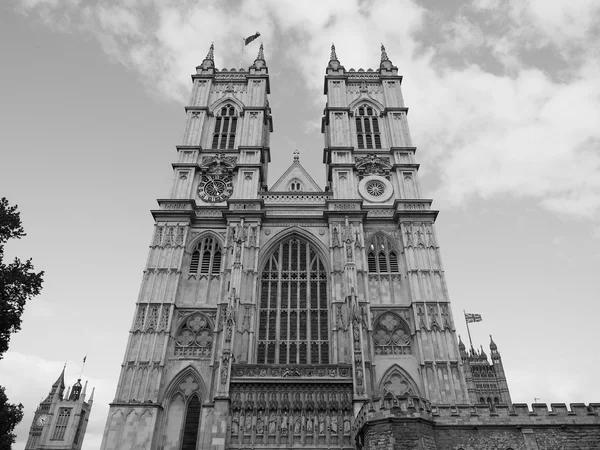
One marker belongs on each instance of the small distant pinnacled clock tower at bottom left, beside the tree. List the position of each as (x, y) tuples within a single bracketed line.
[(61, 420)]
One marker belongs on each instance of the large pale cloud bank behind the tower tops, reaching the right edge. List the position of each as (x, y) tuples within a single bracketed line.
[(504, 95)]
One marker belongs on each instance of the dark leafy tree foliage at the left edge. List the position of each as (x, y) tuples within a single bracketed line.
[(18, 283)]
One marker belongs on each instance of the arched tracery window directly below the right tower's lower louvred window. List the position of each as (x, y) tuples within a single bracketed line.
[(391, 335)]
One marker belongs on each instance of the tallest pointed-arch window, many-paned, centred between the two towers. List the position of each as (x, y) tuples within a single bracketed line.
[(293, 321)]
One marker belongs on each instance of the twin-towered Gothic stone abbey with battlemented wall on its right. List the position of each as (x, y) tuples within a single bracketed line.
[(291, 316)]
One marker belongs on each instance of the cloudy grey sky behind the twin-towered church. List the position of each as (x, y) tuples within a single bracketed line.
[(504, 108)]
